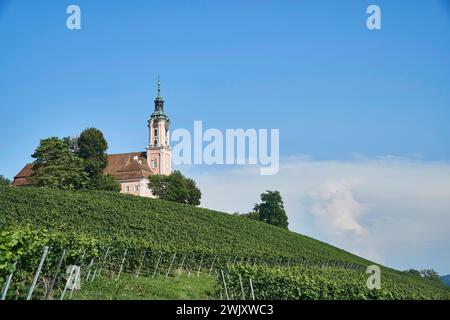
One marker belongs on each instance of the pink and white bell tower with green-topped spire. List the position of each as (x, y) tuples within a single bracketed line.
[(159, 152)]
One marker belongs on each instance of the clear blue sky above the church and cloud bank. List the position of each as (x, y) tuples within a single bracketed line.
[(310, 68)]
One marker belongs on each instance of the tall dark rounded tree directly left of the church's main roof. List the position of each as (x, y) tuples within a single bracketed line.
[(91, 146)]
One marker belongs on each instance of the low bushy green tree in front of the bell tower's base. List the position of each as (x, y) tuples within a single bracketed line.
[(175, 187)]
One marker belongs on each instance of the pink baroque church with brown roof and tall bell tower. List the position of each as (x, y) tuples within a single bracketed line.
[(133, 169)]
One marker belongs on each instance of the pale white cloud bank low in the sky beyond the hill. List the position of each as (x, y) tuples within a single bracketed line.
[(393, 210)]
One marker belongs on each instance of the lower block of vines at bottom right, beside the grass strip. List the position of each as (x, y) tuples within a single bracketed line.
[(313, 283)]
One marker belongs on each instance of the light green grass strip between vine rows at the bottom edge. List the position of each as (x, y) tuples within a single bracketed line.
[(148, 288)]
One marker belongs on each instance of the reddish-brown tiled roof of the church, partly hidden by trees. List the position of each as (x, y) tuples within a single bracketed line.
[(123, 166)]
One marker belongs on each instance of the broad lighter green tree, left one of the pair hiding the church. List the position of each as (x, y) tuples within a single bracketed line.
[(57, 167)]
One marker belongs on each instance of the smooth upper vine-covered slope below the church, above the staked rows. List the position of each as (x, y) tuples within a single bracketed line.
[(164, 224)]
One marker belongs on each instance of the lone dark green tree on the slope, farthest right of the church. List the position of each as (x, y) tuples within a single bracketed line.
[(271, 209)]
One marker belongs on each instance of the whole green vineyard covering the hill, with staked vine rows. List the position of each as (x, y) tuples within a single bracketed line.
[(109, 234)]
